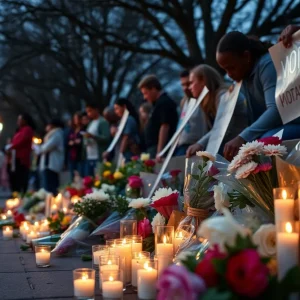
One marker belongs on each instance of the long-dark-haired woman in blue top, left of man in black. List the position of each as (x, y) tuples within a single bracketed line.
[(129, 142)]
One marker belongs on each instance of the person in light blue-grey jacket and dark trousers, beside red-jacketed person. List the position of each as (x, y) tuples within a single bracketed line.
[(52, 156)]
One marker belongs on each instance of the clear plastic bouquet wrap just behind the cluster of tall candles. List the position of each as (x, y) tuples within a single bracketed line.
[(110, 228)]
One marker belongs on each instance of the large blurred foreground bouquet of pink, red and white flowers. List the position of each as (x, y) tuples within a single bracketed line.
[(237, 266)]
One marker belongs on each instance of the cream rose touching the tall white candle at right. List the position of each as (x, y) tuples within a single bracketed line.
[(265, 239)]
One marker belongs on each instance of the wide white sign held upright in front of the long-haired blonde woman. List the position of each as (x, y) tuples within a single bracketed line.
[(224, 114)]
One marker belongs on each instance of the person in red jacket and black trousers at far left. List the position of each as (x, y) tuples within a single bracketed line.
[(19, 152)]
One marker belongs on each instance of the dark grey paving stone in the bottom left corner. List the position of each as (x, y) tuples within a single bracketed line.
[(14, 286)]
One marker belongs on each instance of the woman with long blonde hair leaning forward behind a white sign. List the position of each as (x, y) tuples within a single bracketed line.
[(204, 75)]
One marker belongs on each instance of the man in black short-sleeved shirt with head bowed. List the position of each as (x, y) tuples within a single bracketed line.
[(164, 118)]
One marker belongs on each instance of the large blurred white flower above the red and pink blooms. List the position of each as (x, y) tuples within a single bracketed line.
[(221, 230)]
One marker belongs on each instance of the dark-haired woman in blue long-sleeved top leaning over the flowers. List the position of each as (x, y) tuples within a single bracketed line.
[(246, 59)]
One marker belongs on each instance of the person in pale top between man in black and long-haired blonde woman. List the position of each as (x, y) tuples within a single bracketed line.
[(196, 126)]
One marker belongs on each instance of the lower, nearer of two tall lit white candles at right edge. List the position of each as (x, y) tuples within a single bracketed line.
[(287, 250)]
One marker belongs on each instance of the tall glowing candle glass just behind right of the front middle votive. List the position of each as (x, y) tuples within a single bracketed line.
[(123, 249)]
